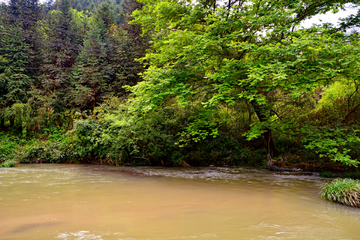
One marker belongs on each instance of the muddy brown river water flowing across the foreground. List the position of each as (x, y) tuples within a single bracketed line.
[(77, 202)]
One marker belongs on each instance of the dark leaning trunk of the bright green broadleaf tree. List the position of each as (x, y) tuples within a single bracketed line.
[(268, 139)]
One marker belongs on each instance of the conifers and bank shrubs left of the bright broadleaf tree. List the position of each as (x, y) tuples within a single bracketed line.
[(83, 59)]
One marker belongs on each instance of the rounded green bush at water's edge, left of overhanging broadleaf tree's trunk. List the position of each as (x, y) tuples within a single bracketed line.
[(152, 139)]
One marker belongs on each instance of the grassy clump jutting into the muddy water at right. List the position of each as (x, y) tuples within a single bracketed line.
[(345, 191)]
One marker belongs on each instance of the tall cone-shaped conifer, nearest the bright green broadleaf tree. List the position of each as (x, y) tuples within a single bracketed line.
[(94, 64)]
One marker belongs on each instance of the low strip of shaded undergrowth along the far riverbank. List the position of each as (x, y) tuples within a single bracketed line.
[(61, 147)]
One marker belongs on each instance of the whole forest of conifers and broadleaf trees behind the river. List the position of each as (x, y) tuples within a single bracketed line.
[(180, 83)]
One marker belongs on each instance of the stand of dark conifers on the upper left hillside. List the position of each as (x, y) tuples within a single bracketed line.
[(61, 60)]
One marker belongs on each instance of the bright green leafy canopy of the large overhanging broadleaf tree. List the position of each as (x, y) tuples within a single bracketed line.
[(220, 55)]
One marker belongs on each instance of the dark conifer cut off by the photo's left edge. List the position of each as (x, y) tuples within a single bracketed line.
[(18, 54)]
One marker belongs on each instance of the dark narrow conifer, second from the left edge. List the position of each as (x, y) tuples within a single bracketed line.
[(58, 52)]
